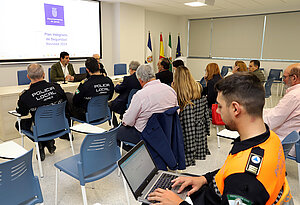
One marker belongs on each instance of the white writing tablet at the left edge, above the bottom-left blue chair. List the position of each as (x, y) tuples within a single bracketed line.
[(10, 150)]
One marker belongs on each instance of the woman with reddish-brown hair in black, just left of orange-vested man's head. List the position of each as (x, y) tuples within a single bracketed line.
[(212, 76)]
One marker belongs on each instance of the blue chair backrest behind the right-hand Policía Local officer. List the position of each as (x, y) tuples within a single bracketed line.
[(98, 109)]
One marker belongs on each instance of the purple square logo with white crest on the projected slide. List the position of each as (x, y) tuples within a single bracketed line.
[(54, 15)]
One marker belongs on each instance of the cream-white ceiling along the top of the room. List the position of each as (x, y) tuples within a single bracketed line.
[(221, 7)]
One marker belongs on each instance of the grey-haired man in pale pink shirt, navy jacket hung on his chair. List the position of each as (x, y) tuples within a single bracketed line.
[(154, 97)]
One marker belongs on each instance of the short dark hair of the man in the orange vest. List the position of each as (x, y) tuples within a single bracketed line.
[(244, 88)]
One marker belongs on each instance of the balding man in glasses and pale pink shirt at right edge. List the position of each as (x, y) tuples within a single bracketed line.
[(285, 117)]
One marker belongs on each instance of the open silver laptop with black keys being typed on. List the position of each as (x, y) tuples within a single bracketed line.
[(142, 175)]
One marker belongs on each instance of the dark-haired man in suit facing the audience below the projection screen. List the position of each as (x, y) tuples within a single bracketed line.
[(62, 70)]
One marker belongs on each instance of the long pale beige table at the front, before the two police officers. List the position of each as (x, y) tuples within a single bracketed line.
[(9, 96)]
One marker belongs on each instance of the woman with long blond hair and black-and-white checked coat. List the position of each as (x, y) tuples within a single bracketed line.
[(194, 115)]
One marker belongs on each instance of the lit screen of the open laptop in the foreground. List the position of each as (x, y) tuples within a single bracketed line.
[(137, 167)]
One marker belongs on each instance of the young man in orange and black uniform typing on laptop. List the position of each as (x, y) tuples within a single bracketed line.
[(251, 173)]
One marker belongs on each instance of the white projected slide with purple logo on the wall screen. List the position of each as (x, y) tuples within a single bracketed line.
[(34, 29)]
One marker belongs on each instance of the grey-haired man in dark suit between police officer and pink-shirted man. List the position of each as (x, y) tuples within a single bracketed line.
[(129, 82)]
